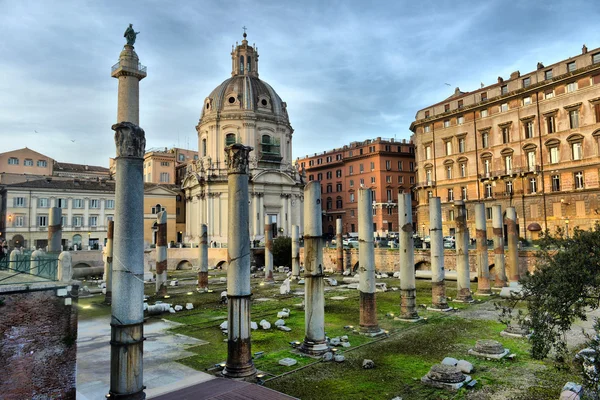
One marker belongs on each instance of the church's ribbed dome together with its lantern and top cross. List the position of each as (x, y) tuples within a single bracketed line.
[(244, 91)]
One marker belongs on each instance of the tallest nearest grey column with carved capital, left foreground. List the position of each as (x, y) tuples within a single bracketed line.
[(127, 333)]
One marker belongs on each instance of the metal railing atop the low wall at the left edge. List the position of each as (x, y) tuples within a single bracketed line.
[(22, 270)]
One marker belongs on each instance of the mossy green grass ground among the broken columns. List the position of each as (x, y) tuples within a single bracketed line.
[(400, 359)]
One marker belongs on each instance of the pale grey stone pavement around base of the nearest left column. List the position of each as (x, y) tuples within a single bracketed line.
[(161, 348)]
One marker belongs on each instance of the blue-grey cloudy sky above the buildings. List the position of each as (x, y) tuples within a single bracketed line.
[(348, 70)]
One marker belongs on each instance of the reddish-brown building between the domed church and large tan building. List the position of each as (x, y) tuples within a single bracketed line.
[(386, 166)]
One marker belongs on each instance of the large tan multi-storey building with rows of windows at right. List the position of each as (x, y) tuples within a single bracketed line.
[(531, 141)]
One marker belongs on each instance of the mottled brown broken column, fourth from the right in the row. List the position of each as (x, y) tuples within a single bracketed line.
[(463, 278)]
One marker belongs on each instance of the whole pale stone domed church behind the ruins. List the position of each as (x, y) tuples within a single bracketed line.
[(243, 109)]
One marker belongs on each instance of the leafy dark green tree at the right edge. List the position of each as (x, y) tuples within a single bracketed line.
[(563, 288)]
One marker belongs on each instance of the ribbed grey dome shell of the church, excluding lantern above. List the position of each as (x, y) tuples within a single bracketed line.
[(245, 93)]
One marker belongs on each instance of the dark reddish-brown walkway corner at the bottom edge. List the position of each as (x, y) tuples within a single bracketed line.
[(225, 389)]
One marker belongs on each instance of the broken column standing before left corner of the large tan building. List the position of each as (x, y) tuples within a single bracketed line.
[(408, 290)]
